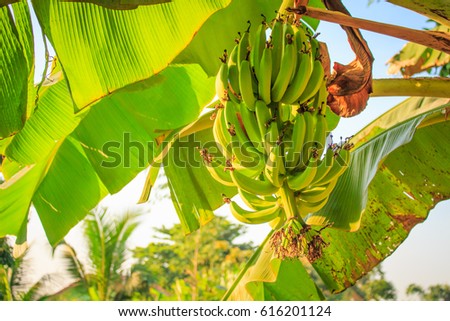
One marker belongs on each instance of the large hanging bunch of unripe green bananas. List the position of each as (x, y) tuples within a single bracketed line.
[(271, 129)]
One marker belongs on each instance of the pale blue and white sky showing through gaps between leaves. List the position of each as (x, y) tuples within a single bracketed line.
[(420, 259)]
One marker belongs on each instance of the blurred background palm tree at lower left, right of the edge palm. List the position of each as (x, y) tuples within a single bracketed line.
[(102, 276)]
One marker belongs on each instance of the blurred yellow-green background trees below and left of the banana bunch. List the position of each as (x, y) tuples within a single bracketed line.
[(199, 266)]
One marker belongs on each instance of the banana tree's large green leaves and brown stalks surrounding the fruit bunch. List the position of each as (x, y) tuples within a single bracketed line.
[(92, 124)]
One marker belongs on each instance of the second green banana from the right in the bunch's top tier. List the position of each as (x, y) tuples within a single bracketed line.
[(300, 80)]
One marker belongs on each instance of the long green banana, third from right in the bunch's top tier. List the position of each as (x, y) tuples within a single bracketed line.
[(288, 61)]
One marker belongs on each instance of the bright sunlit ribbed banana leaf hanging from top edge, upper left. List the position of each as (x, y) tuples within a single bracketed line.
[(103, 50)]
